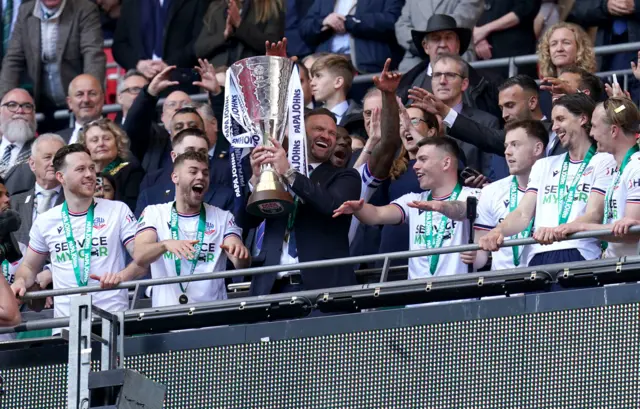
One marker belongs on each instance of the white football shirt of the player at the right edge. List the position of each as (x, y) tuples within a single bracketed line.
[(626, 192)]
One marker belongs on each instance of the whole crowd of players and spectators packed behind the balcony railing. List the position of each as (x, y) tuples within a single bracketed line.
[(548, 152)]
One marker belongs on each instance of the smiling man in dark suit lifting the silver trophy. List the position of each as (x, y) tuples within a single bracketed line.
[(310, 232)]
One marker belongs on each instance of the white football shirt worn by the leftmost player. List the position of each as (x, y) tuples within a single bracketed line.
[(114, 226)]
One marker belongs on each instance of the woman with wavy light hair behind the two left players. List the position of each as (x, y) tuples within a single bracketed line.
[(109, 148)]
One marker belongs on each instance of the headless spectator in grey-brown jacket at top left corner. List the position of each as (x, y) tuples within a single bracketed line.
[(72, 46)]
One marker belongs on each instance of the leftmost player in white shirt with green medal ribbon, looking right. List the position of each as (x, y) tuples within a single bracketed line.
[(85, 237)]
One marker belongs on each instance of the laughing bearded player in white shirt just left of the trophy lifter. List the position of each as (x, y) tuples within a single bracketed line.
[(188, 236)]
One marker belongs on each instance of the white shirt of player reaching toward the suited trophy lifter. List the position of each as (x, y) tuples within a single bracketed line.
[(457, 233)]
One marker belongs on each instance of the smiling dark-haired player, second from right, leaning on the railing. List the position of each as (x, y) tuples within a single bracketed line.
[(563, 188)]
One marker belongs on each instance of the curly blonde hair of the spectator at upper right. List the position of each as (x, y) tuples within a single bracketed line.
[(585, 55)]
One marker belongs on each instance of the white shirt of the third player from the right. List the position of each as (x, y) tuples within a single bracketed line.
[(493, 207)]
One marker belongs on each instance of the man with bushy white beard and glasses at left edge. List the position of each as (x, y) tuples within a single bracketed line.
[(18, 127)]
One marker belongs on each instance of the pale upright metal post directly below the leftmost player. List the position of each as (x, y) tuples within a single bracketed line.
[(79, 352)]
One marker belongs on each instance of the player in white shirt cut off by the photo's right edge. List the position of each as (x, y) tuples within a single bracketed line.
[(613, 128)]
